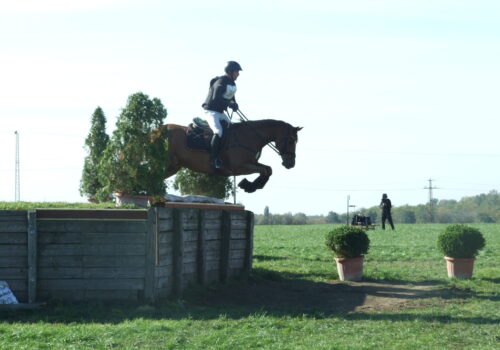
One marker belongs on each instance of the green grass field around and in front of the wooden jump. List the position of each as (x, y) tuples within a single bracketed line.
[(292, 300)]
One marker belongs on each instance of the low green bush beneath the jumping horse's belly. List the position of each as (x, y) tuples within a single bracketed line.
[(191, 182)]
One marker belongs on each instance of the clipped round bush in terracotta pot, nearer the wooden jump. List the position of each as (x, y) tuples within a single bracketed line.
[(349, 245)]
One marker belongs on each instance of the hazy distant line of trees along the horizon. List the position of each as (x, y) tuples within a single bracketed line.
[(481, 208)]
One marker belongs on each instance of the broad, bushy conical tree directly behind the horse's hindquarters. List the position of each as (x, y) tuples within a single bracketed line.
[(136, 157)]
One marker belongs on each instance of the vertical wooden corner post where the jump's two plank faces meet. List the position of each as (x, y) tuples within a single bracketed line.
[(151, 239)]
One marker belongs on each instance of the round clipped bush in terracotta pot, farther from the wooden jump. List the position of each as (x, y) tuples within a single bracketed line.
[(460, 244)]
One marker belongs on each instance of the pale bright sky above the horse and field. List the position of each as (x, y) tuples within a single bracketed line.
[(390, 93)]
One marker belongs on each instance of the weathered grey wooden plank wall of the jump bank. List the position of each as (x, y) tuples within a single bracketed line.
[(74, 255)]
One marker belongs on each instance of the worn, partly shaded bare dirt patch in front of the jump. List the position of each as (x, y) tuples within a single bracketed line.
[(303, 296)]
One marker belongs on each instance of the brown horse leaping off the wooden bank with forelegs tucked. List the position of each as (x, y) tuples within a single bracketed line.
[(243, 146)]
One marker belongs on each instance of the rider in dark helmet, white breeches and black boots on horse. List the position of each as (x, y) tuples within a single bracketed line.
[(220, 97)]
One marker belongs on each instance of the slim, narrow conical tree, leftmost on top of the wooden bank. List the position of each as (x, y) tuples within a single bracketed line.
[(95, 144)]
